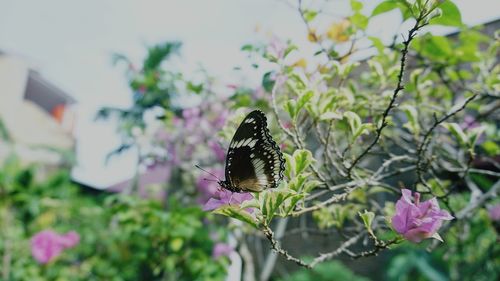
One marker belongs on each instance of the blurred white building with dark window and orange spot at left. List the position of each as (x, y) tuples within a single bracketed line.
[(36, 116)]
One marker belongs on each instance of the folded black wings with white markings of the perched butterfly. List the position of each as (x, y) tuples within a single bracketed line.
[(254, 161)]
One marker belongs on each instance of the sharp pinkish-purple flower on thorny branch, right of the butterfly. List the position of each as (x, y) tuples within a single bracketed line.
[(418, 220)]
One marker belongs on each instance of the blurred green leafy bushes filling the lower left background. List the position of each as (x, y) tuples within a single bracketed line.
[(122, 237)]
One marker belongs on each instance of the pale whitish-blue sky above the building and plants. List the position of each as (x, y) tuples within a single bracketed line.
[(71, 42)]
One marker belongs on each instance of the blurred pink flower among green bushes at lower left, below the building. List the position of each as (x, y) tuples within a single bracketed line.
[(47, 245)]
